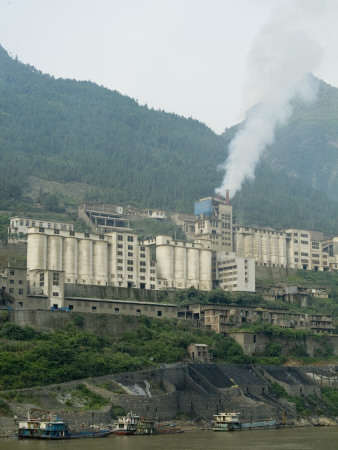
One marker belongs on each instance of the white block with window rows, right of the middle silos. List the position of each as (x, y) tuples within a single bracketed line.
[(235, 273)]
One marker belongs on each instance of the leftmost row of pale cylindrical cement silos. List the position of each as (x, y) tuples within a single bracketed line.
[(84, 259)]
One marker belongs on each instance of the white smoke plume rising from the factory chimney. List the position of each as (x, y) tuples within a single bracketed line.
[(281, 59)]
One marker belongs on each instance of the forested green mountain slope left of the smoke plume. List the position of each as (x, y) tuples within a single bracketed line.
[(68, 131)]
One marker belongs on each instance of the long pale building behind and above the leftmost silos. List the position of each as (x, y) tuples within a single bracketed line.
[(18, 228)]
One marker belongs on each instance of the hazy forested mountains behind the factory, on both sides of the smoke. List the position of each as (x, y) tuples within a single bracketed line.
[(66, 131)]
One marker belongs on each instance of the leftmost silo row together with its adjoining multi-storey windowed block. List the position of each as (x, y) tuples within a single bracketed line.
[(114, 259)]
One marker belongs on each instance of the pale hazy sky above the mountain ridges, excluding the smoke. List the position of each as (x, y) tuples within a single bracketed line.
[(191, 57)]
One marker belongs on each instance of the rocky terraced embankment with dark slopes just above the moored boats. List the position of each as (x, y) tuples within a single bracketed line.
[(189, 394)]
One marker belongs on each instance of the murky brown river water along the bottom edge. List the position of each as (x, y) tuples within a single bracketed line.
[(306, 438)]
